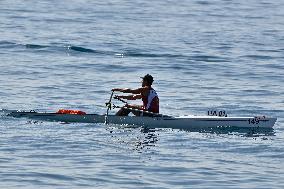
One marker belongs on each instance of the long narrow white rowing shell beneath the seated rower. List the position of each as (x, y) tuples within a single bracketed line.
[(161, 121)]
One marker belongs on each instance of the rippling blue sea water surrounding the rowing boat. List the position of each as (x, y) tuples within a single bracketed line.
[(204, 55)]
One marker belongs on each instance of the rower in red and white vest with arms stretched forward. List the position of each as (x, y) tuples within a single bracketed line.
[(148, 95)]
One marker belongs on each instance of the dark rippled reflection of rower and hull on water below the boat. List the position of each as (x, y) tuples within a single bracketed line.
[(141, 138)]
